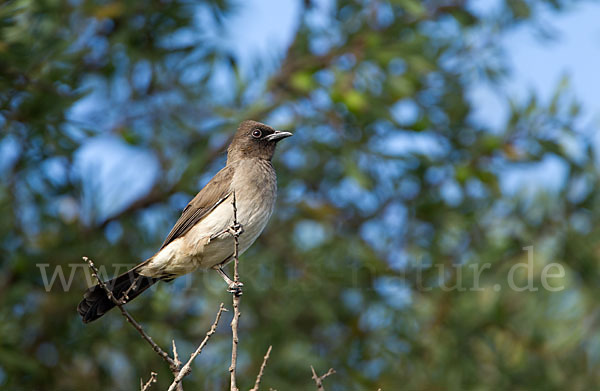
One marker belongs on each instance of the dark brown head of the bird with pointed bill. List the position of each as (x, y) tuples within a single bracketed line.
[(254, 140)]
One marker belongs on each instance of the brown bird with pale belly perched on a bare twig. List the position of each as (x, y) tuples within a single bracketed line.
[(201, 237)]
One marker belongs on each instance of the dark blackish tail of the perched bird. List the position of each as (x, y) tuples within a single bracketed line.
[(125, 287)]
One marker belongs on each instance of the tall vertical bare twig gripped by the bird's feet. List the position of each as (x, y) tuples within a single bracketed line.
[(236, 293)]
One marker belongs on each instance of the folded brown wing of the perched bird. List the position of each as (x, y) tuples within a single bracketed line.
[(213, 194)]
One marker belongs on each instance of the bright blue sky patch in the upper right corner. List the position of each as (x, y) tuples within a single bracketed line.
[(539, 64)]
